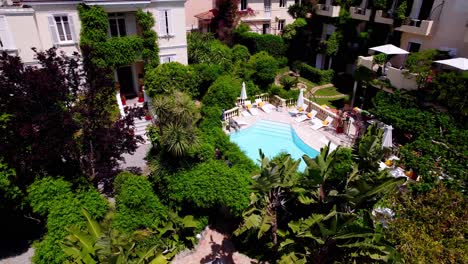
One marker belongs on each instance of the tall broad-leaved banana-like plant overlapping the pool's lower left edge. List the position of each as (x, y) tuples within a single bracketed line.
[(276, 178)]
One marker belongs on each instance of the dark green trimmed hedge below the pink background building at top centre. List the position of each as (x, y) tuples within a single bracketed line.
[(255, 42)]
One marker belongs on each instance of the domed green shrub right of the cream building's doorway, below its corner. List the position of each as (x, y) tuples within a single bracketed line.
[(168, 77)]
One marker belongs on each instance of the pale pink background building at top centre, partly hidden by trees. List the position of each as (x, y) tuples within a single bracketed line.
[(263, 16)]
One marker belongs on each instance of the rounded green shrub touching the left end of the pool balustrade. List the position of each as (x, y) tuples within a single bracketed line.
[(223, 92)]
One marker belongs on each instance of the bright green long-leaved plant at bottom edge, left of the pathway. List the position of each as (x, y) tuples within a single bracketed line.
[(98, 243)]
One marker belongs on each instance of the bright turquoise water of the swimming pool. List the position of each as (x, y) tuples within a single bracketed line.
[(272, 138)]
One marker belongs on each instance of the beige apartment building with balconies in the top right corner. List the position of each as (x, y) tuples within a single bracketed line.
[(432, 24)]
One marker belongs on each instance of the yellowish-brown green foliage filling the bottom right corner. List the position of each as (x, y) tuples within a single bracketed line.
[(430, 228)]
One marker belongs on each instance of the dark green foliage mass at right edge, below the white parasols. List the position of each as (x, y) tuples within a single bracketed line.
[(435, 144)]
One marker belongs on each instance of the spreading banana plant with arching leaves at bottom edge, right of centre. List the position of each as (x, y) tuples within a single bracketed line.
[(323, 238)]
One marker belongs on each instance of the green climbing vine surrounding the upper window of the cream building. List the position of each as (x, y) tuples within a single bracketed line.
[(112, 52)]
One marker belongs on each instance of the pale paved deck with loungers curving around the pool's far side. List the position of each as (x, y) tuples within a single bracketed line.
[(314, 138)]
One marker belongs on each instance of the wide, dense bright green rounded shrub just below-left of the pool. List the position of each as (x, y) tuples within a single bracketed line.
[(210, 185)]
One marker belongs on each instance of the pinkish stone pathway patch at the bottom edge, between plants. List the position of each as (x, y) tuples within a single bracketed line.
[(213, 245)]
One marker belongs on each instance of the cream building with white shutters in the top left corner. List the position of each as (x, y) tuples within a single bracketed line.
[(55, 23)]
